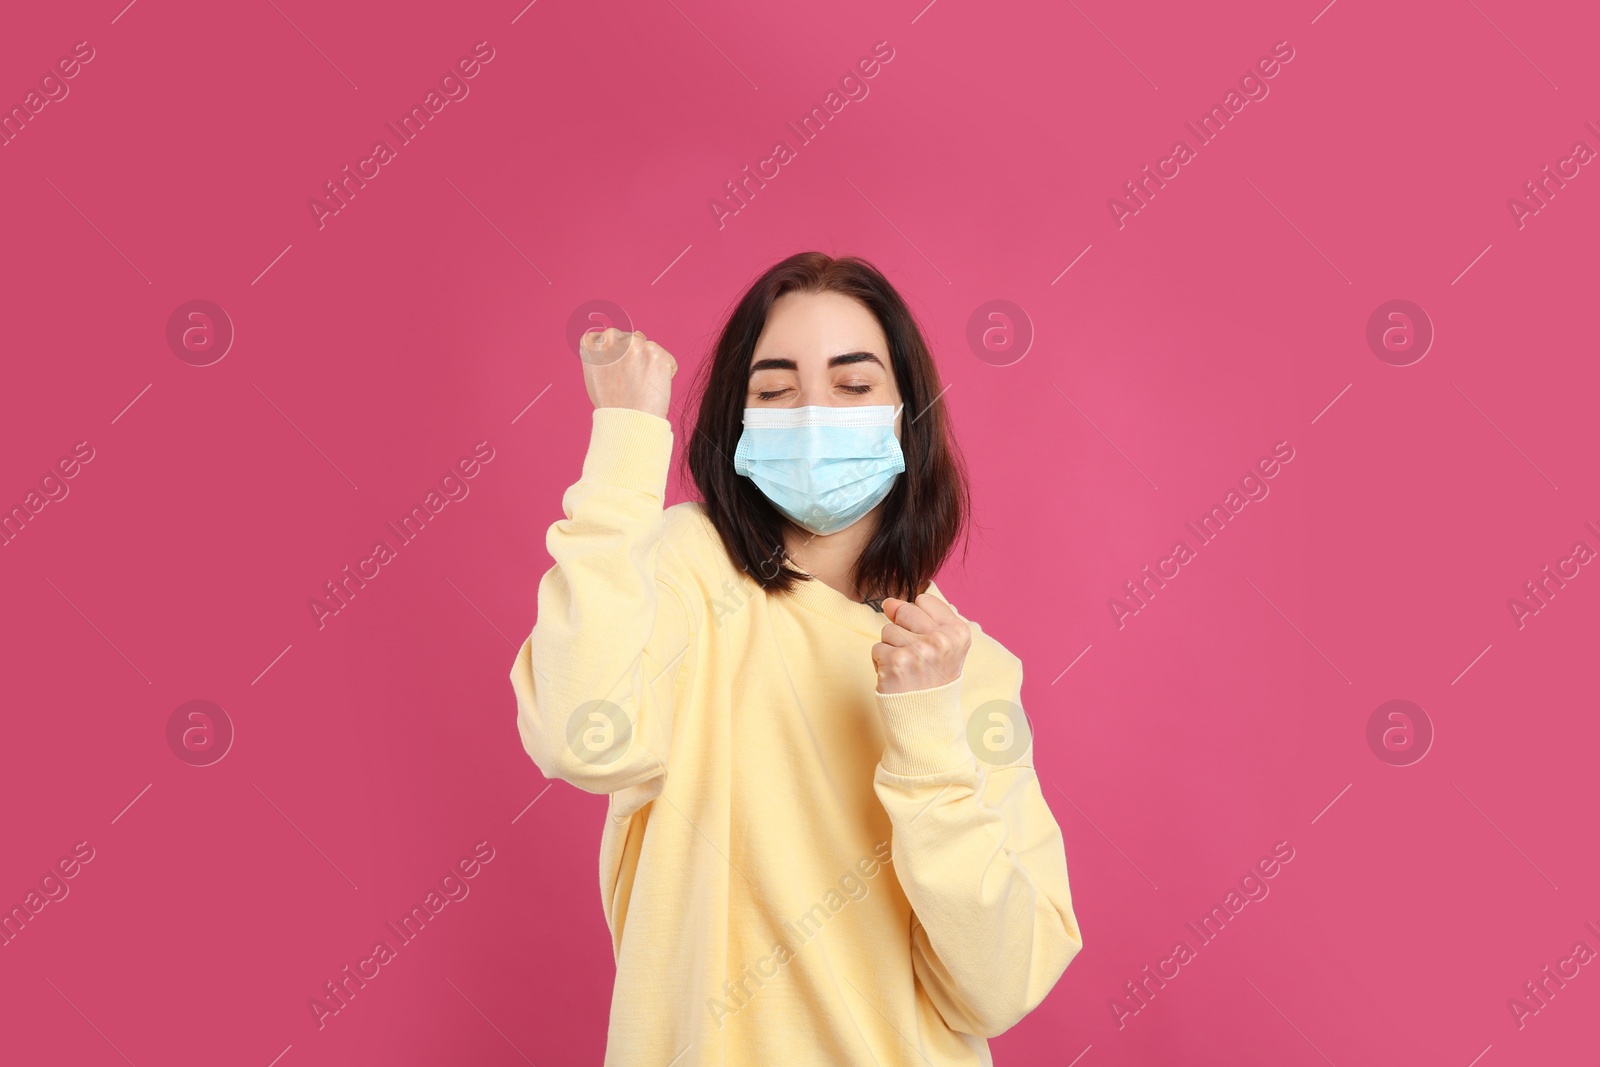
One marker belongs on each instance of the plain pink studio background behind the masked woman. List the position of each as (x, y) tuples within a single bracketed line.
[(430, 313)]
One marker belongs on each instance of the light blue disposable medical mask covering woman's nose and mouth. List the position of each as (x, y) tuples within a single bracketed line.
[(825, 468)]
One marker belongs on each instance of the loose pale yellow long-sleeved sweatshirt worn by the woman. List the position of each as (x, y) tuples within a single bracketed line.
[(796, 869)]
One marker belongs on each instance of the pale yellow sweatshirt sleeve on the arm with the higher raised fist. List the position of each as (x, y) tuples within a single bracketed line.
[(594, 681)]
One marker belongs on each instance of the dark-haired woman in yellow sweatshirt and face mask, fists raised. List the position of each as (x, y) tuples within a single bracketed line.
[(826, 839)]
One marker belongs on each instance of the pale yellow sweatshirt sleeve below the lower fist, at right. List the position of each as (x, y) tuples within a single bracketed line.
[(977, 850)]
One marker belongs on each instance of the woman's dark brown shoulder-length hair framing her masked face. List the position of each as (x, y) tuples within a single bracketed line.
[(924, 514)]
